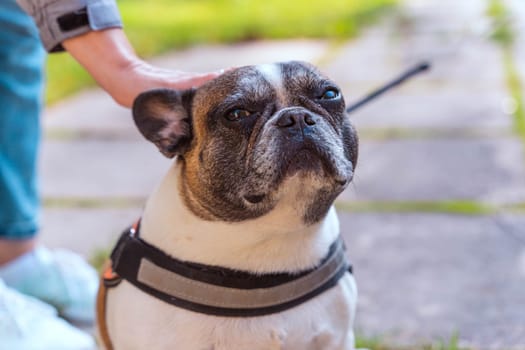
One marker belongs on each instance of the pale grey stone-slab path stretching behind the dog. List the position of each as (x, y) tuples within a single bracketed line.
[(442, 137)]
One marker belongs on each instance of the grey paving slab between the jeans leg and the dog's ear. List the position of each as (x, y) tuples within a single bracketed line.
[(102, 169)]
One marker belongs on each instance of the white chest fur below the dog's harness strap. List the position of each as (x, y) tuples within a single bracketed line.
[(138, 321)]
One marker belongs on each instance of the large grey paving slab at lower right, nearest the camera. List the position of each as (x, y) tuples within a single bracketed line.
[(429, 276)]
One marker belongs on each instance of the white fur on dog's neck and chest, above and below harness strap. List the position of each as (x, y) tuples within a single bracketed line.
[(273, 243)]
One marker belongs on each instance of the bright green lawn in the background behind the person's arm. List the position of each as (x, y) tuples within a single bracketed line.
[(157, 26)]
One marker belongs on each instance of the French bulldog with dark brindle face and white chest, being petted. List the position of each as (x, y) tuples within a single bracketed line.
[(261, 153)]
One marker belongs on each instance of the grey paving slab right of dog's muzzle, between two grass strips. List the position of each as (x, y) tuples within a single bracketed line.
[(440, 169)]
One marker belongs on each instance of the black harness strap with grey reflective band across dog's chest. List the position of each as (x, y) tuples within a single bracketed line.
[(217, 290)]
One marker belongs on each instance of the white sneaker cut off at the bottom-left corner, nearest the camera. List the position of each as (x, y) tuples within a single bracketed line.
[(29, 324)]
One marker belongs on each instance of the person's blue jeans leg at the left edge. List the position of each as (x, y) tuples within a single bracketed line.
[(21, 88)]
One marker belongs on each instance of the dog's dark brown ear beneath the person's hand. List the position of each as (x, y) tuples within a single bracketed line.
[(163, 116)]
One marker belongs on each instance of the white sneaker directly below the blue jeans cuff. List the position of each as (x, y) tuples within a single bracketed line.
[(60, 278)]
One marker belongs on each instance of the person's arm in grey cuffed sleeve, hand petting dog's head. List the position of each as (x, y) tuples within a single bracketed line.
[(90, 30)]
